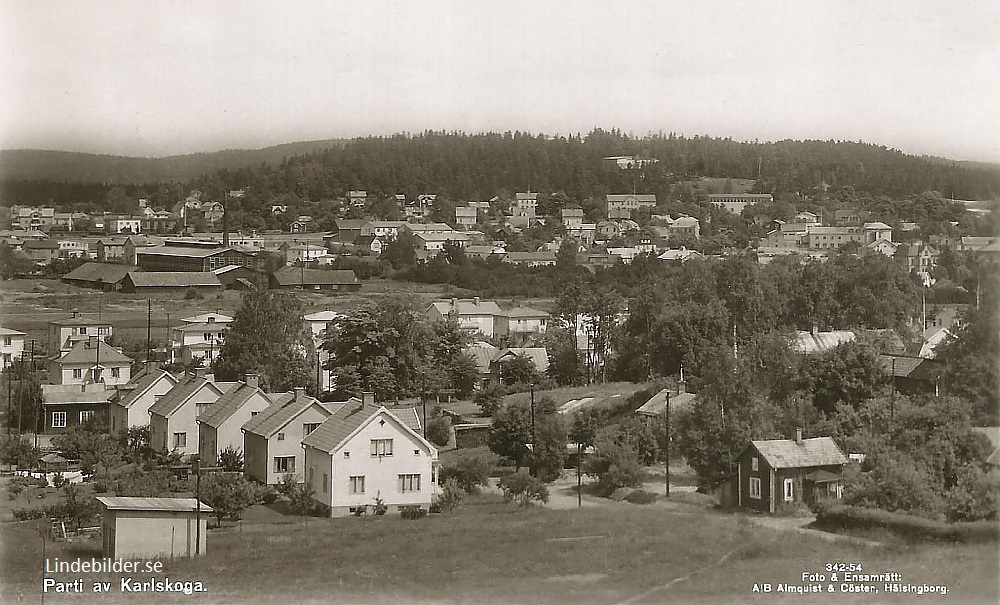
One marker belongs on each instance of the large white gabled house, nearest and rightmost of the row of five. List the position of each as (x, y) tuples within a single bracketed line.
[(362, 453)]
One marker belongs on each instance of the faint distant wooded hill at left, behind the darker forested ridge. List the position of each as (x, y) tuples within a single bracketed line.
[(68, 166)]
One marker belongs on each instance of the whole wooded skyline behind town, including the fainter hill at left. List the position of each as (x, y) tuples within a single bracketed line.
[(462, 166)]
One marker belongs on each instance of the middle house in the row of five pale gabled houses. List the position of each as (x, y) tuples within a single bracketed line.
[(220, 426)]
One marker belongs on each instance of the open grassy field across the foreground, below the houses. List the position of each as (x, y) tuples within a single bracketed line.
[(493, 554)]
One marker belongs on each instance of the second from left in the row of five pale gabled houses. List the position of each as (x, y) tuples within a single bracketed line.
[(173, 418)]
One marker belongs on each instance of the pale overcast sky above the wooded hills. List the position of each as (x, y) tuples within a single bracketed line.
[(157, 78)]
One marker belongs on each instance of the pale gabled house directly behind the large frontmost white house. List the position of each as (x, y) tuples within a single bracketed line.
[(272, 439)]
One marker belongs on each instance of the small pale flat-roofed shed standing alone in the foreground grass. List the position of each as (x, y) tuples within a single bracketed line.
[(153, 527)]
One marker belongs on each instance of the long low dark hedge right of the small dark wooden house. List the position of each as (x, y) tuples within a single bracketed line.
[(835, 517)]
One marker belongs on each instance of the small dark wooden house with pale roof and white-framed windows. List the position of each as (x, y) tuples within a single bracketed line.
[(775, 472)]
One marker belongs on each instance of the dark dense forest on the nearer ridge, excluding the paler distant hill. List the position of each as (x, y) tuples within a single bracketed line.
[(459, 166)]
